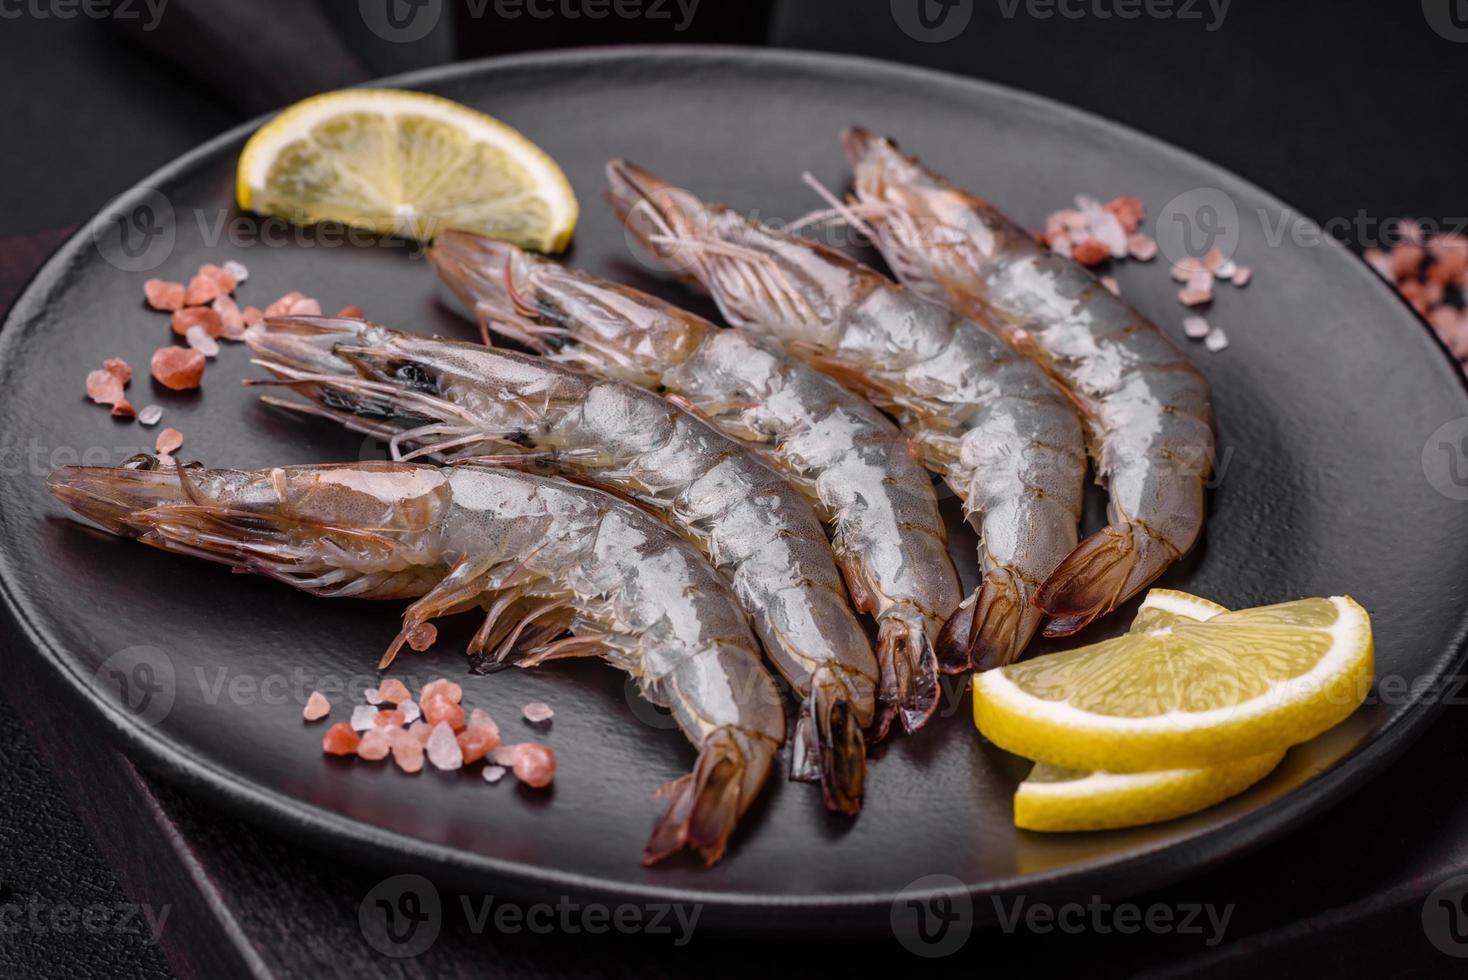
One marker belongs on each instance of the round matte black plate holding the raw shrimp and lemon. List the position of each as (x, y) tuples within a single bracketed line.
[(1326, 398)]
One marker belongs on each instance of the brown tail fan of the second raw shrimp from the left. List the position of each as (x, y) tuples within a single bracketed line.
[(830, 747)]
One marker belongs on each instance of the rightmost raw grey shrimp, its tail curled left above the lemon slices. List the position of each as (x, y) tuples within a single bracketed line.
[(1149, 412)]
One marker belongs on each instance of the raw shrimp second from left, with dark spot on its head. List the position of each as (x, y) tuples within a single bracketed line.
[(444, 398)]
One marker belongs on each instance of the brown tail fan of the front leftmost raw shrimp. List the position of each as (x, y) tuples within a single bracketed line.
[(704, 805)]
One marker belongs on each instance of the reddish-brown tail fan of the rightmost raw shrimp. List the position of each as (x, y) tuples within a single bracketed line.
[(1100, 574)]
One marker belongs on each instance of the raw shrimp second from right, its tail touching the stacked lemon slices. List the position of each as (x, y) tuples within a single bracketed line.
[(987, 420)]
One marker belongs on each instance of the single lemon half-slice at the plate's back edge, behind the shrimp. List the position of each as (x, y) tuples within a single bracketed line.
[(406, 164)]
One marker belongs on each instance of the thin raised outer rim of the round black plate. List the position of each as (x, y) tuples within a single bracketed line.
[(1147, 869)]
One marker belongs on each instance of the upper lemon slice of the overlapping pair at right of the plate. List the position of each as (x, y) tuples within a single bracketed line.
[(1185, 695)]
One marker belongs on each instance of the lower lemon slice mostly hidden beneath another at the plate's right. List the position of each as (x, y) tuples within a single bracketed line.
[(1055, 799)]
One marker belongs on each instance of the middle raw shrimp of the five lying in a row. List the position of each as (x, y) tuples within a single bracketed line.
[(879, 502)]
